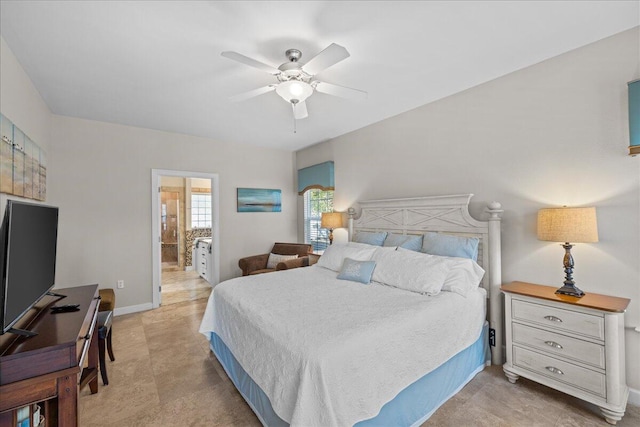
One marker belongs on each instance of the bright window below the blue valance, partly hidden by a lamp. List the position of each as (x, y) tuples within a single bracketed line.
[(316, 202)]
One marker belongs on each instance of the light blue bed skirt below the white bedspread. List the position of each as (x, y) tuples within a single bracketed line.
[(411, 407)]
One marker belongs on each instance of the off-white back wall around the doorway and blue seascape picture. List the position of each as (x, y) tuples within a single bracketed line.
[(101, 180)]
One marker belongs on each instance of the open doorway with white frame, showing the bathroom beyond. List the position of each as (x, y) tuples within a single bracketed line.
[(185, 234)]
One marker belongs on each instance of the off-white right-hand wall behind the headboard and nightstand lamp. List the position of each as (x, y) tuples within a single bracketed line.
[(552, 134)]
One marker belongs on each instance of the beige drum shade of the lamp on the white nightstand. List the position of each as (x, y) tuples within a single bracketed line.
[(574, 225)]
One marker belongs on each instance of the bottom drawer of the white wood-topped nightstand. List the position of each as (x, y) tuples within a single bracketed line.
[(575, 376)]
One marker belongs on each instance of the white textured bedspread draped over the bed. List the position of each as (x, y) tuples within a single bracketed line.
[(331, 352)]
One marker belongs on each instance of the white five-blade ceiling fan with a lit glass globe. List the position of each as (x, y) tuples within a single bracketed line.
[(297, 81)]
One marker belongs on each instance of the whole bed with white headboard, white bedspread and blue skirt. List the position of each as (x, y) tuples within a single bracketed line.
[(306, 348)]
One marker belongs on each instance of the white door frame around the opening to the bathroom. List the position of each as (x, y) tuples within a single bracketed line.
[(156, 254)]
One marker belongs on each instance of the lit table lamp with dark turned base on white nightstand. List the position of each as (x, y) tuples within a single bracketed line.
[(577, 225)]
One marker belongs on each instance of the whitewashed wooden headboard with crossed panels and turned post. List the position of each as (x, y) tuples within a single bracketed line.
[(450, 215)]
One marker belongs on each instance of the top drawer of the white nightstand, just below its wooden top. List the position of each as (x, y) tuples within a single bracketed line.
[(566, 320)]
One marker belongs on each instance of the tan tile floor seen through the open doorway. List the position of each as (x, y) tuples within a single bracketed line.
[(179, 286)]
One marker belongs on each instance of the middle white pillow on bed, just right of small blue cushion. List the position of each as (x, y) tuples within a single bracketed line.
[(409, 270)]
